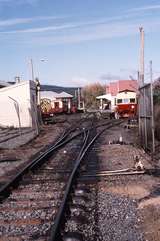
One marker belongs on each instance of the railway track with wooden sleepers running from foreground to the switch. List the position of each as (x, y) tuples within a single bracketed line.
[(39, 202)]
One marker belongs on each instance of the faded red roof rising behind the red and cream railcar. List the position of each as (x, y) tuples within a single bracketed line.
[(114, 87)]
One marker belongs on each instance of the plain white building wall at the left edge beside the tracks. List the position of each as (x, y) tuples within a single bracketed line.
[(18, 105)]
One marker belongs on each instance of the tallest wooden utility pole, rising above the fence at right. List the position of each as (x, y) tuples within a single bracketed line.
[(141, 74)]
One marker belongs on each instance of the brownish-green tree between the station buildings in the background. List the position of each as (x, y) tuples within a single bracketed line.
[(90, 92)]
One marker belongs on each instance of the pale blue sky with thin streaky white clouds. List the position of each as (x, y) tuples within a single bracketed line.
[(77, 42)]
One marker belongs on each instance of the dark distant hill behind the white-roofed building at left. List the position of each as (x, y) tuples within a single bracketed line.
[(58, 89)]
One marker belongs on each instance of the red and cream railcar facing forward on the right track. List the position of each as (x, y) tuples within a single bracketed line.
[(126, 105)]
